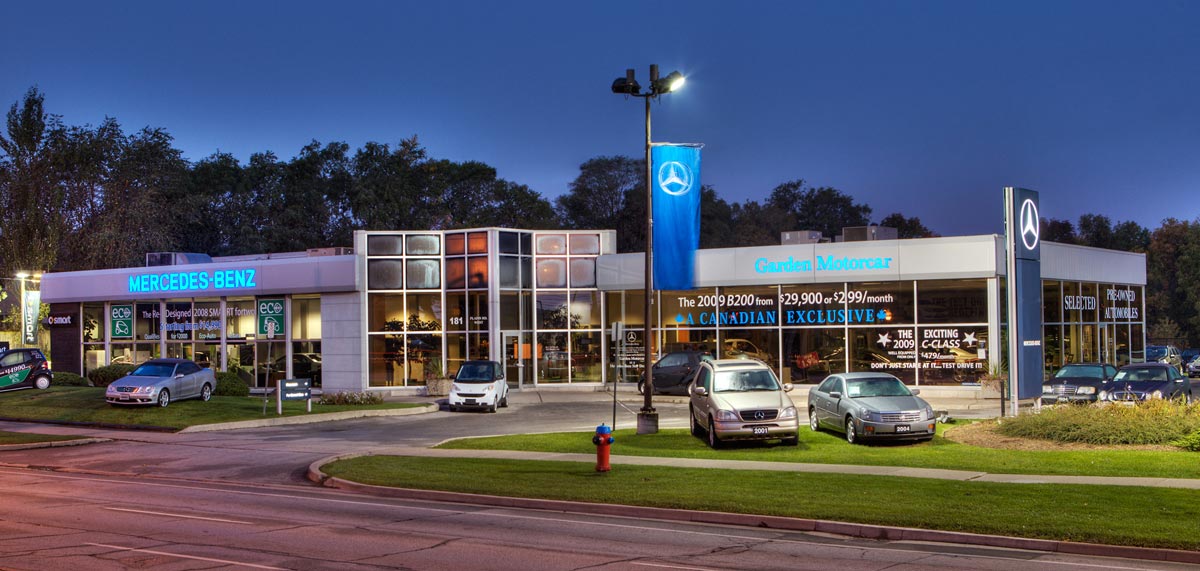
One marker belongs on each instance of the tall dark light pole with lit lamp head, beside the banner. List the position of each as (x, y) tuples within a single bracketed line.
[(649, 419)]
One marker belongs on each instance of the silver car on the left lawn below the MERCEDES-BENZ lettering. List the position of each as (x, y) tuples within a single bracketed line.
[(161, 382)]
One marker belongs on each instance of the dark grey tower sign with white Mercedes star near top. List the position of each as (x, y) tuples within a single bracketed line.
[(1024, 275)]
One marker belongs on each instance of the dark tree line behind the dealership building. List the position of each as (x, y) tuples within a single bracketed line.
[(93, 197)]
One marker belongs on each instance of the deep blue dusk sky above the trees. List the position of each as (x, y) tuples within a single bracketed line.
[(928, 109)]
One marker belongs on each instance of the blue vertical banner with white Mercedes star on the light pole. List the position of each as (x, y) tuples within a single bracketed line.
[(676, 175)]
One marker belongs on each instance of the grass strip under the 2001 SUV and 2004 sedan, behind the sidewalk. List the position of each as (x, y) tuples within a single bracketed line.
[(826, 448)]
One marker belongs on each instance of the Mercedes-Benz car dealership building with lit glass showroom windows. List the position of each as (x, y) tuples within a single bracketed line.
[(561, 308)]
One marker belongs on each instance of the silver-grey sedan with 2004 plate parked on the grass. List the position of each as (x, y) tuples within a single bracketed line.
[(871, 406)]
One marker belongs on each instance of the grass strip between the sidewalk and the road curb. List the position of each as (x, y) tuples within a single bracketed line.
[(1114, 515)]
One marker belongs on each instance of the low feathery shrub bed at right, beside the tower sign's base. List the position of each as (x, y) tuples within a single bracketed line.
[(1150, 423)]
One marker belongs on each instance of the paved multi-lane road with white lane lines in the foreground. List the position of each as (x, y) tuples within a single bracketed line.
[(88, 522)]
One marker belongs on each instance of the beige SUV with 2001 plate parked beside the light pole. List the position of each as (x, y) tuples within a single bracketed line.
[(741, 400)]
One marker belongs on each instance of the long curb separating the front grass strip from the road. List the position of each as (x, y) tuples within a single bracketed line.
[(748, 520)]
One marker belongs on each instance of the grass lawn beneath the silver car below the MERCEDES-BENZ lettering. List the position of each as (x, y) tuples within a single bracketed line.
[(87, 405)]
